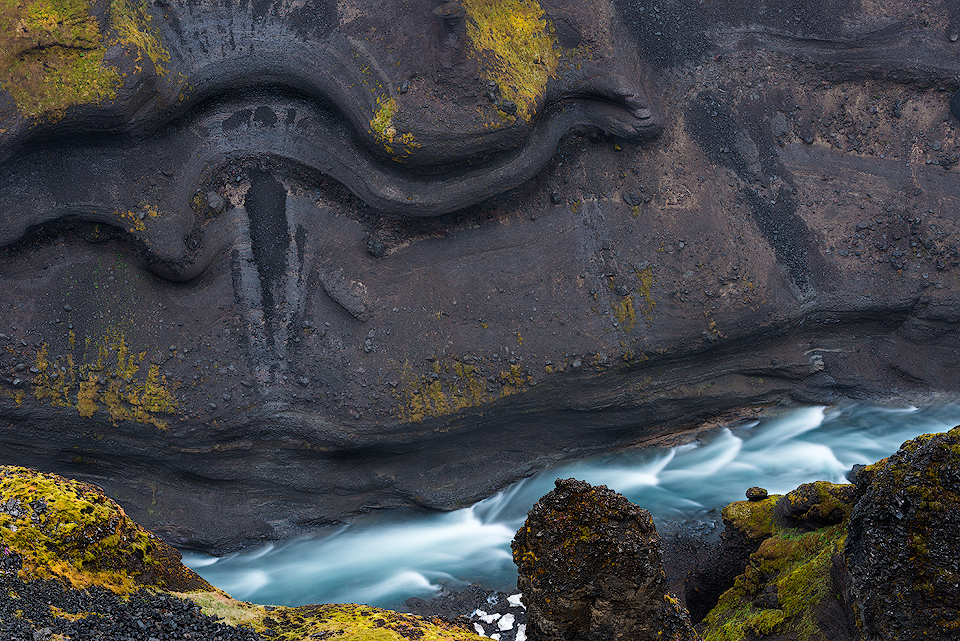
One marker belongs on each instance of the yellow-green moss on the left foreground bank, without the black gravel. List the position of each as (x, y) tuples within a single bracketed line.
[(73, 533)]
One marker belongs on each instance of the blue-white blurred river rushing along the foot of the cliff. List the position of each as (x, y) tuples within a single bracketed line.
[(384, 558)]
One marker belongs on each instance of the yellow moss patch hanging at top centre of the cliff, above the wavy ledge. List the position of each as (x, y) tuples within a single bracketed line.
[(515, 48)]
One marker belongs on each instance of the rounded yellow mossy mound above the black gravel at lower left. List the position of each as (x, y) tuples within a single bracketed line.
[(72, 532)]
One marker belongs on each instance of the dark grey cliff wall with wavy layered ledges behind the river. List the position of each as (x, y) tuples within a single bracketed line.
[(270, 265)]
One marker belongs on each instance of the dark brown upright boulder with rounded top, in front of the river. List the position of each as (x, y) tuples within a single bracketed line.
[(590, 569)]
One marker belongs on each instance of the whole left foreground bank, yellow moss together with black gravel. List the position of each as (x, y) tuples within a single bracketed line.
[(72, 564)]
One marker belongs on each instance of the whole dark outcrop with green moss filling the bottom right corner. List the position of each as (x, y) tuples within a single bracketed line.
[(877, 561)]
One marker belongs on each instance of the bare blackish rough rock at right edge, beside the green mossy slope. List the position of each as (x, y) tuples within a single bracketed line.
[(901, 549)]
